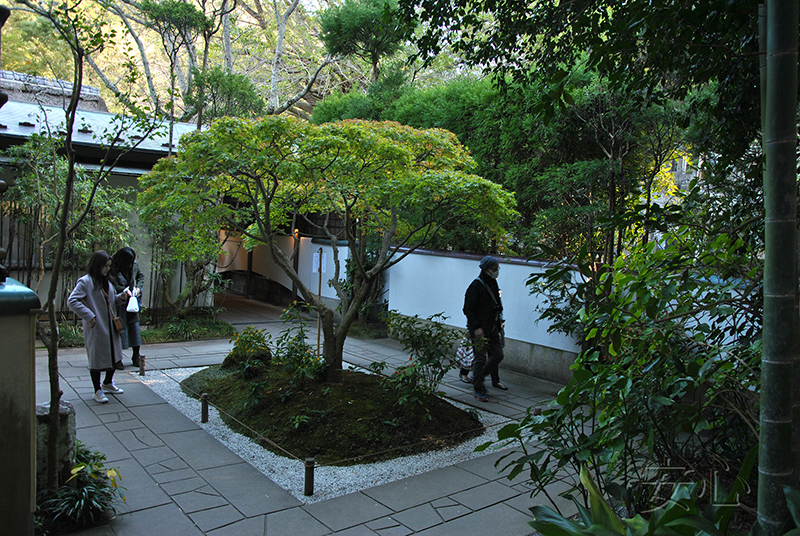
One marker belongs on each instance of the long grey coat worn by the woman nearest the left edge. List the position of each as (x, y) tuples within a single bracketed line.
[(103, 345)]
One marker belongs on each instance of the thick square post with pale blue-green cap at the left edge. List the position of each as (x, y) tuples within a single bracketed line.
[(18, 305)]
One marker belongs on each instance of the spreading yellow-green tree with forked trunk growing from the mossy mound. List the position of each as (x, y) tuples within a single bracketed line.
[(377, 182)]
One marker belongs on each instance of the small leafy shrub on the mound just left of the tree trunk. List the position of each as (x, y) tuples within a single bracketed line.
[(293, 351)]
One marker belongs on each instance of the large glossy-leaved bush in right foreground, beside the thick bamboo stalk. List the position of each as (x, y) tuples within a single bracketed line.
[(669, 372)]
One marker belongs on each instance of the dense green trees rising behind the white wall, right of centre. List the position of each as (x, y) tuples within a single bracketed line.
[(591, 160)]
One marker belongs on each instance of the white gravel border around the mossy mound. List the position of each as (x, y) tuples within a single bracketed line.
[(330, 481)]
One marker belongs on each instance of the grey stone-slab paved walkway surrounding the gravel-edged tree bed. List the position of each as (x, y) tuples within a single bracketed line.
[(181, 481)]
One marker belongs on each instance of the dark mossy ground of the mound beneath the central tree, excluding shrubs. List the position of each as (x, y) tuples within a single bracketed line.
[(352, 421)]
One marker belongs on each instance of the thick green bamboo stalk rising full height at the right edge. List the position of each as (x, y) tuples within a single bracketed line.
[(776, 467)]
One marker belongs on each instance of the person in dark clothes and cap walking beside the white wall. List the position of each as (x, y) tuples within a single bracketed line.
[(484, 311)]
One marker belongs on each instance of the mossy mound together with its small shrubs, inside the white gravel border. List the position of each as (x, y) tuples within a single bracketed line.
[(277, 394)]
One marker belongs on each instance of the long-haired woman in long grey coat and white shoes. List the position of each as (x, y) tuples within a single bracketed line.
[(94, 300)]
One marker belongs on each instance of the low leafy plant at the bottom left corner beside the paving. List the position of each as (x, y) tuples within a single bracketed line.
[(84, 500)]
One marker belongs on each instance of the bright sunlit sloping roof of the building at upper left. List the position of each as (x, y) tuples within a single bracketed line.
[(92, 133)]
